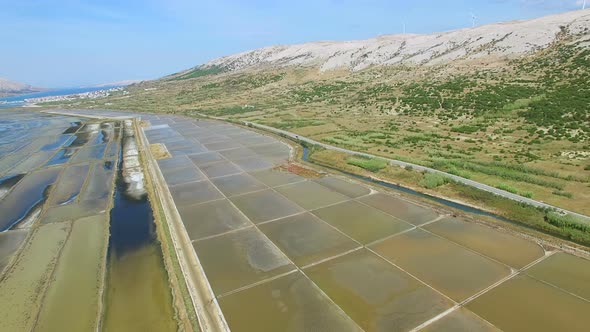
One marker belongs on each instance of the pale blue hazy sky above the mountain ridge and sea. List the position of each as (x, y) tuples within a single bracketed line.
[(66, 43)]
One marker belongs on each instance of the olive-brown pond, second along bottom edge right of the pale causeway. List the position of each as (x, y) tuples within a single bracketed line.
[(377, 295)]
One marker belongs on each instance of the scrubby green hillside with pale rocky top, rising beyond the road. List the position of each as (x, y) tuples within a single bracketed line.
[(516, 118)]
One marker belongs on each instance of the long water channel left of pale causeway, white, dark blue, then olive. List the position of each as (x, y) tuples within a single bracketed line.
[(138, 295)]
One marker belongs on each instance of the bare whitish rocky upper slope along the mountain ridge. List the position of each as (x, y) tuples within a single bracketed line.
[(510, 39)]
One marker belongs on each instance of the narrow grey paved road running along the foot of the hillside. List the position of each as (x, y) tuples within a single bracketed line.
[(456, 178)]
